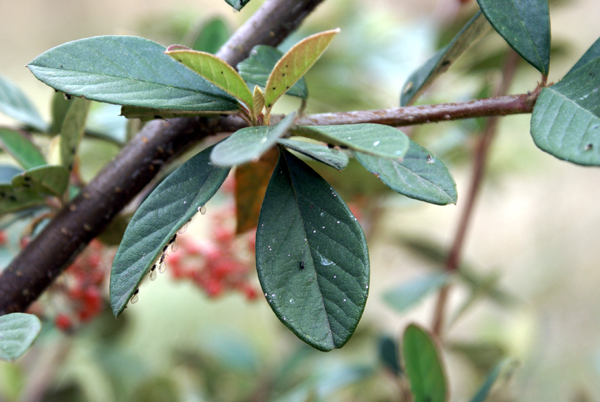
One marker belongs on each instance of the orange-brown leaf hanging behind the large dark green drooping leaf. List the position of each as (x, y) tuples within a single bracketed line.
[(251, 181)]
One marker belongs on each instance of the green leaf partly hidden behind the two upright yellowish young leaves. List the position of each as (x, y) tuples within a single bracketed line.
[(257, 68)]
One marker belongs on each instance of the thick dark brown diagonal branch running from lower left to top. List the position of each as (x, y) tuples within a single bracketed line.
[(36, 267)]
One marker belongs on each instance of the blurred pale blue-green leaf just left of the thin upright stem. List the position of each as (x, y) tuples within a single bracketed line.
[(407, 295)]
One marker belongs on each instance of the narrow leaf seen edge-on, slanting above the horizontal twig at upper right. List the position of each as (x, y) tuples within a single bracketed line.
[(440, 62)]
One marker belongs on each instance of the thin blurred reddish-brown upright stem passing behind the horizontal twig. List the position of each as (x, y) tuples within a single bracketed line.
[(481, 154)]
